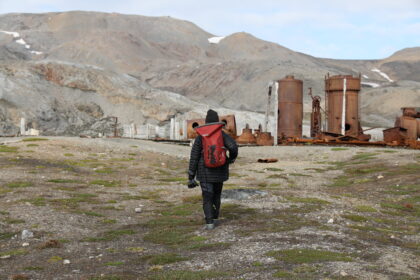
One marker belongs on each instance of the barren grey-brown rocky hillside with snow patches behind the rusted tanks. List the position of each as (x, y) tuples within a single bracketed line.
[(66, 71)]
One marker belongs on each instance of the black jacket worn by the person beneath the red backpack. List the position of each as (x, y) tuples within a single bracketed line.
[(211, 175)]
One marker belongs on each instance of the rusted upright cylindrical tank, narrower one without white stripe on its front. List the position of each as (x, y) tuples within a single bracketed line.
[(290, 118)]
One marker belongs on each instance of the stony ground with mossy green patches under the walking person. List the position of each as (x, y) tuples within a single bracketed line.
[(119, 209)]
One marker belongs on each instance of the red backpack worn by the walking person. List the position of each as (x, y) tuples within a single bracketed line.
[(214, 151)]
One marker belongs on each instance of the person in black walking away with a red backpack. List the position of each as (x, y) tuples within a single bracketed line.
[(211, 154)]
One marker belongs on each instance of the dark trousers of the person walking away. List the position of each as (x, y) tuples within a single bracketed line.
[(211, 200)]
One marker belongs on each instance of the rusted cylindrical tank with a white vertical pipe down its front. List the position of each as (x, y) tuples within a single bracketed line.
[(335, 88)]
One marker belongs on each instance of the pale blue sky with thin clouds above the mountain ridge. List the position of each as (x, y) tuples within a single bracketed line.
[(341, 29)]
